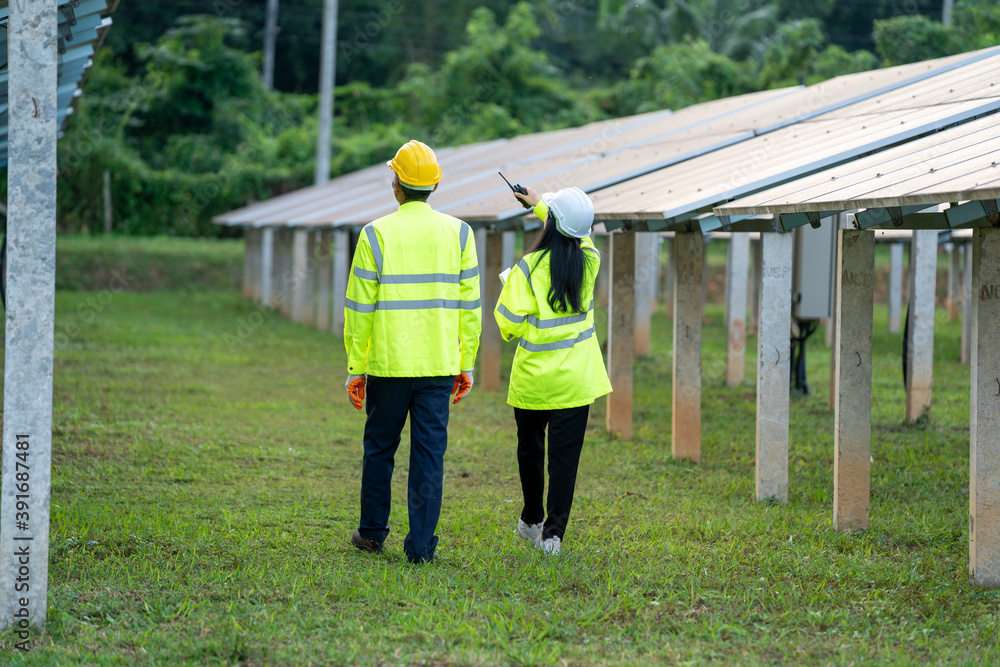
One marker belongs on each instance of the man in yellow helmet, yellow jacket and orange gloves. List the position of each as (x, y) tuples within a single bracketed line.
[(412, 326)]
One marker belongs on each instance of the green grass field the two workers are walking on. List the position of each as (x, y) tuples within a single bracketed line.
[(205, 481)]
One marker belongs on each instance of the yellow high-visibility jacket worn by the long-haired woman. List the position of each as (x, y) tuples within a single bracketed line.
[(558, 362)]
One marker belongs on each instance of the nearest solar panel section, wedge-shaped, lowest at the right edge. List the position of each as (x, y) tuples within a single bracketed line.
[(957, 164)]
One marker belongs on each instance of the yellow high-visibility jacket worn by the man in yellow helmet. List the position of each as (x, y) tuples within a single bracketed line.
[(413, 306)]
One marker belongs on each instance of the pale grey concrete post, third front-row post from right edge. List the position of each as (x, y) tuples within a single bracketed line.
[(773, 366)]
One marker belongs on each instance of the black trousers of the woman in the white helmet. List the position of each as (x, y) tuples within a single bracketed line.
[(567, 428)]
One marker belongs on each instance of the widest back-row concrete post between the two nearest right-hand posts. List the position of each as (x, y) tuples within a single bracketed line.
[(920, 347)]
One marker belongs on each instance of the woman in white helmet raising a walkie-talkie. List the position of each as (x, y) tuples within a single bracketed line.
[(548, 303)]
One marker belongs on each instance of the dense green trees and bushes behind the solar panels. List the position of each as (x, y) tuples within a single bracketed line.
[(187, 129)]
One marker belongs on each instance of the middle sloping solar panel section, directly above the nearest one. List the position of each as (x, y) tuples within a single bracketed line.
[(678, 194)]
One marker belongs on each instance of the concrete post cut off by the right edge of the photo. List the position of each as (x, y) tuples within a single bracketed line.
[(984, 436)]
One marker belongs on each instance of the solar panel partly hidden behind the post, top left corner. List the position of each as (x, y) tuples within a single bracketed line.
[(82, 26)]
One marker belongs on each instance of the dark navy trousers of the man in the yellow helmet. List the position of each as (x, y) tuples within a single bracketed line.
[(388, 401)]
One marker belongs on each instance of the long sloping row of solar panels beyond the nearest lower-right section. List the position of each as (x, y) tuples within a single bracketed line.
[(668, 170)]
